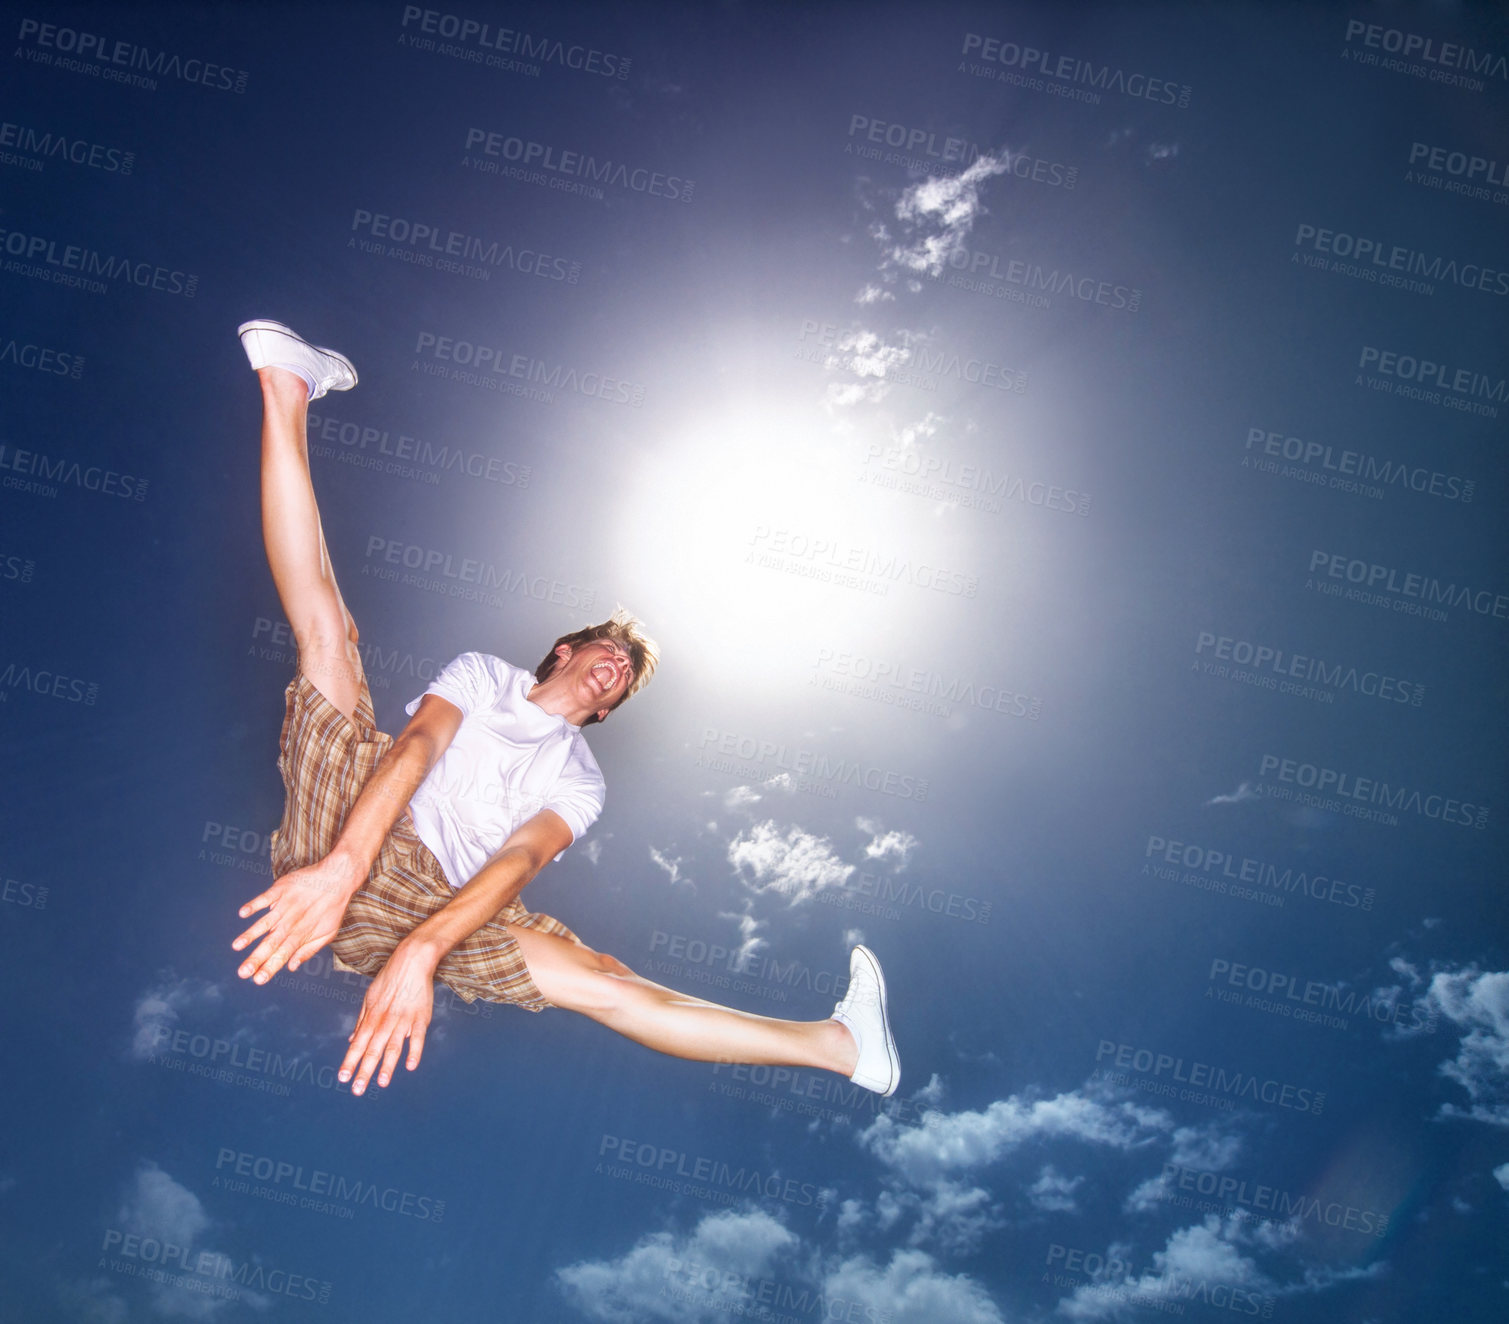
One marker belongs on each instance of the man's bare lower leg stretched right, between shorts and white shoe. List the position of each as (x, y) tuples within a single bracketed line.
[(603, 988)]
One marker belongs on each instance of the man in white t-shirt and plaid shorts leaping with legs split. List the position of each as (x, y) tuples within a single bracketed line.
[(408, 855)]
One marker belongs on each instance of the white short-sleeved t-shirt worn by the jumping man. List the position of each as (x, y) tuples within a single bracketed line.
[(509, 762)]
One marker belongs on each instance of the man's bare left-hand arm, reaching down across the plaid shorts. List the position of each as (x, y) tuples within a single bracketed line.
[(306, 907)]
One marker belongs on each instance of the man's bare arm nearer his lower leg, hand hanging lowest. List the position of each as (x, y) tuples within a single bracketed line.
[(399, 1003)]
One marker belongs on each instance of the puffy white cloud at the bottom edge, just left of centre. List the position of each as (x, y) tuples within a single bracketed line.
[(689, 1278)]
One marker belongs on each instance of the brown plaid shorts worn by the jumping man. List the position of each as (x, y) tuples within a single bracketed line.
[(325, 760)]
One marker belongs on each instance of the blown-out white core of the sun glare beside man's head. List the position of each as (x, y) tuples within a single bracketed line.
[(755, 526)]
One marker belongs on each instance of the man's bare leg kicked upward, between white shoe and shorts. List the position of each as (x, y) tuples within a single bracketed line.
[(301, 564)]
